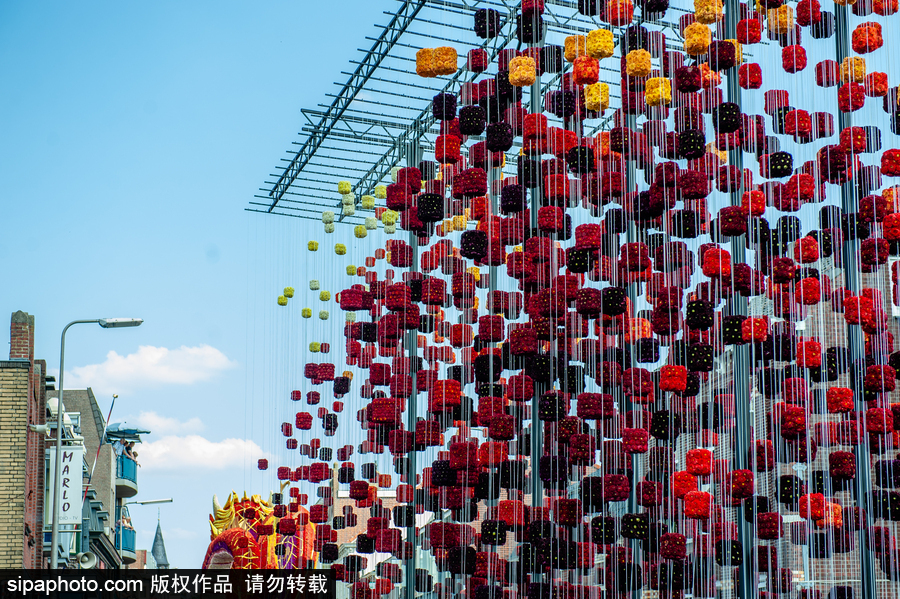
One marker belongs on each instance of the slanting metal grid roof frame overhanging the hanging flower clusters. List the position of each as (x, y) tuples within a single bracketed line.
[(383, 106)]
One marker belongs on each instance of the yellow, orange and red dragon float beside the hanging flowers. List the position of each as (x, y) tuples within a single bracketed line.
[(245, 534)]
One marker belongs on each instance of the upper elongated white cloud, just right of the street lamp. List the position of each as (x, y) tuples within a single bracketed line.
[(150, 366)]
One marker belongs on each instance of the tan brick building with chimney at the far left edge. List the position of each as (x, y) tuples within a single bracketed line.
[(23, 397)]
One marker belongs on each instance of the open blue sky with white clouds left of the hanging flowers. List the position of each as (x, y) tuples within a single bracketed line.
[(132, 136)]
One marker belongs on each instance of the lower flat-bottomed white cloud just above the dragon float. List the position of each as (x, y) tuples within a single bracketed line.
[(173, 453)]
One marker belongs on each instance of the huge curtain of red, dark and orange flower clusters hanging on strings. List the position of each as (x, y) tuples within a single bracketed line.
[(584, 273)]
